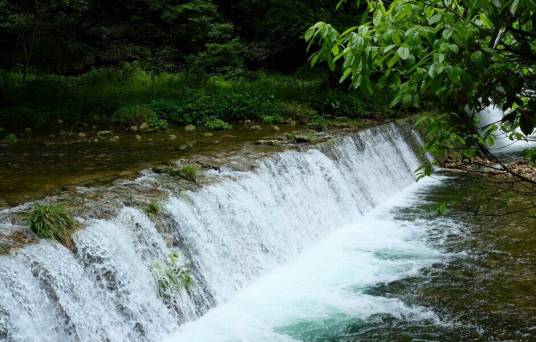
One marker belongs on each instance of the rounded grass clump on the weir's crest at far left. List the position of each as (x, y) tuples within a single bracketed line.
[(51, 221)]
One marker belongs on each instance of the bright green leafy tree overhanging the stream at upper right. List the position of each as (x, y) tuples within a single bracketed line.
[(457, 56)]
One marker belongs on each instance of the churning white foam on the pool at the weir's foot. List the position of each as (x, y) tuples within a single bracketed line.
[(326, 281)]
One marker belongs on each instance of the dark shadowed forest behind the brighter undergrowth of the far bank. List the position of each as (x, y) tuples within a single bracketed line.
[(72, 36)]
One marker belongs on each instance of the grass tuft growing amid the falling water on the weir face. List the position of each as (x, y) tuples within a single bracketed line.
[(171, 276)]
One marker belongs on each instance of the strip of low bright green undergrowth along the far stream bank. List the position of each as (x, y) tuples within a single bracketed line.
[(130, 96)]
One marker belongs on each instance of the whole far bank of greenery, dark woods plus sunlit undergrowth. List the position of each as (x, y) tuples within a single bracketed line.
[(160, 62)]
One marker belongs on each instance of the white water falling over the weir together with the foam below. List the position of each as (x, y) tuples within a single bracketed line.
[(229, 235)]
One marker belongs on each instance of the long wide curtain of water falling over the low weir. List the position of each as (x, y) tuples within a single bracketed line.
[(227, 234)]
